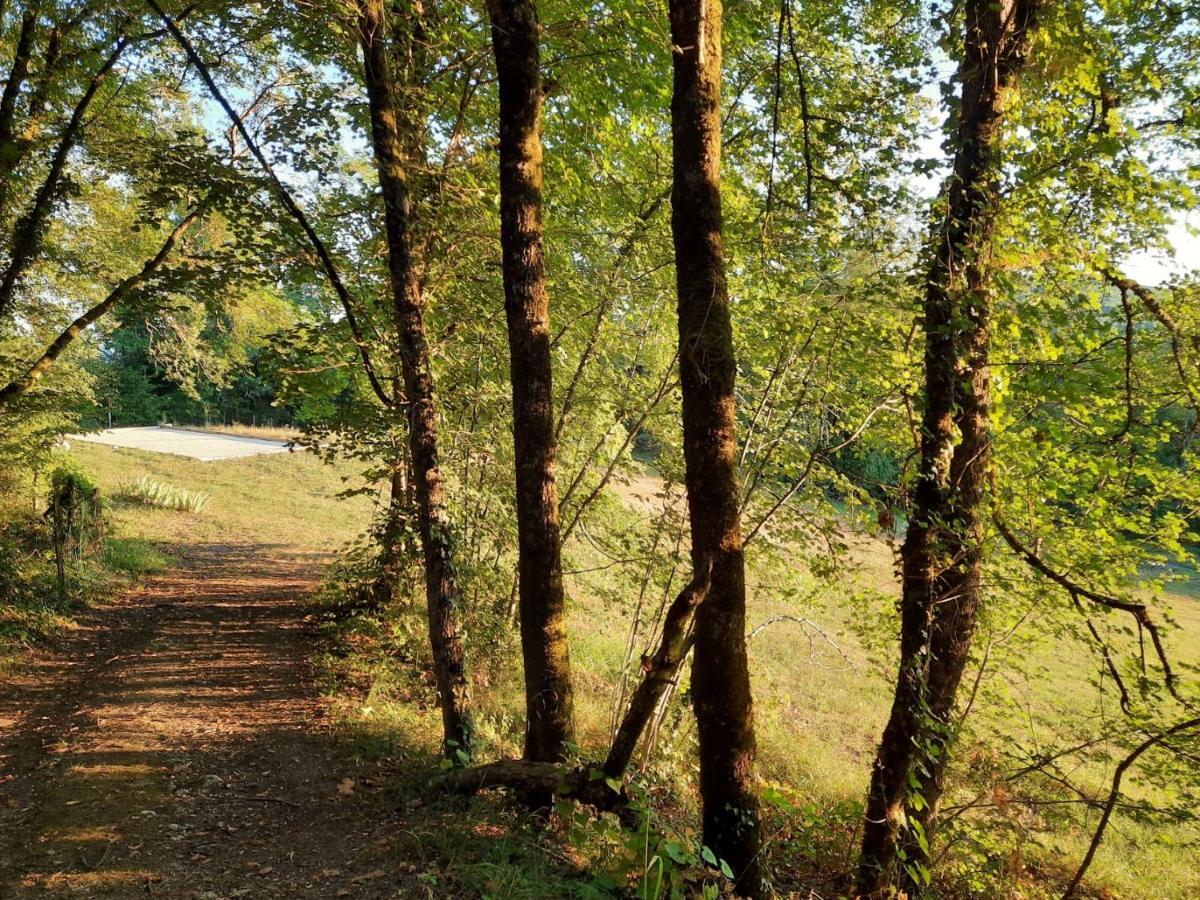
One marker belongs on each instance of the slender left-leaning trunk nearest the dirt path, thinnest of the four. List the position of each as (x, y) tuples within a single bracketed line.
[(434, 525)]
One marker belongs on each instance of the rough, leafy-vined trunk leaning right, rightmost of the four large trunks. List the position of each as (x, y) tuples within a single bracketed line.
[(943, 553)]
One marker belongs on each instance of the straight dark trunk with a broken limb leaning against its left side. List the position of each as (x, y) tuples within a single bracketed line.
[(721, 674)]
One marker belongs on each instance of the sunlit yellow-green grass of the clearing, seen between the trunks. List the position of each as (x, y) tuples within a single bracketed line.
[(820, 710)]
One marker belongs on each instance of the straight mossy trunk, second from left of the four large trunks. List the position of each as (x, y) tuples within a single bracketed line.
[(550, 709)]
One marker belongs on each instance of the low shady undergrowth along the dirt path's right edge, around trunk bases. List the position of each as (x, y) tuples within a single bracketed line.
[(380, 686)]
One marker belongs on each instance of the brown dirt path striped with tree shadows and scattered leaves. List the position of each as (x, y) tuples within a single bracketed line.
[(176, 746)]
